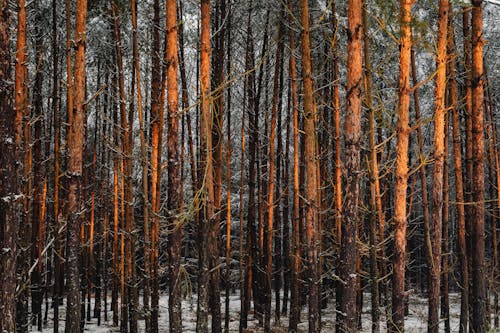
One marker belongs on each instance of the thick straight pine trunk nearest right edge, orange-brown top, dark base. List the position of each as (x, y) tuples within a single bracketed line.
[(479, 322)]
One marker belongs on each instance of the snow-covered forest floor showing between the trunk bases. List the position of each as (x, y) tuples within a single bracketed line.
[(416, 321)]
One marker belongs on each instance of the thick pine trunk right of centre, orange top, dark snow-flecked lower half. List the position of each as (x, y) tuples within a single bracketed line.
[(348, 251)]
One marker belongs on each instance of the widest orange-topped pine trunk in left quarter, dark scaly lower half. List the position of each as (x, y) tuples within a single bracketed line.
[(75, 146)]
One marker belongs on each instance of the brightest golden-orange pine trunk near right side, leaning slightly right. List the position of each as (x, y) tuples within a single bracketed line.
[(435, 229)]
